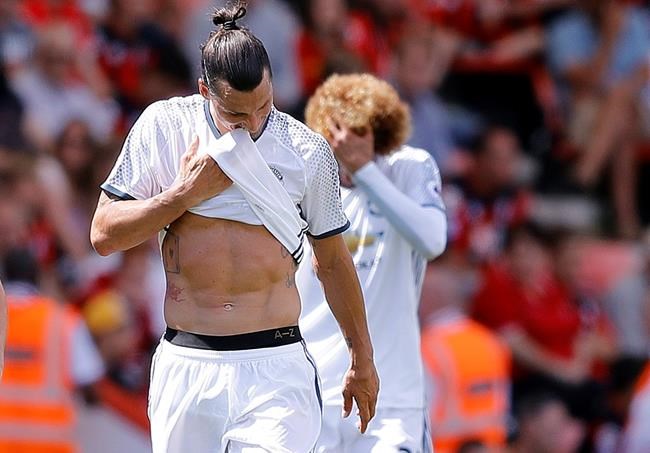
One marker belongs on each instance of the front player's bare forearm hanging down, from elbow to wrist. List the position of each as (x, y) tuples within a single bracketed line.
[(344, 296)]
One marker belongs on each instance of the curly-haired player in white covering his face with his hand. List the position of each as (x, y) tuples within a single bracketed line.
[(391, 194)]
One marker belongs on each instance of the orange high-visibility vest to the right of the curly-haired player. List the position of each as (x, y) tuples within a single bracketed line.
[(470, 369)]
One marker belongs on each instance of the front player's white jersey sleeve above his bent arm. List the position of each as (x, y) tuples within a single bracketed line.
[(133, 176)]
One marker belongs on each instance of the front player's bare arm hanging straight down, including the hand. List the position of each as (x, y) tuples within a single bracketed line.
[(335, 269)]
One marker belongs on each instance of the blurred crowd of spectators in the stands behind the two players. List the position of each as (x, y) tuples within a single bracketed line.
[(537, 112)]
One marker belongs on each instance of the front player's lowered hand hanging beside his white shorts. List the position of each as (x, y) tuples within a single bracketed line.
[(361, 384)]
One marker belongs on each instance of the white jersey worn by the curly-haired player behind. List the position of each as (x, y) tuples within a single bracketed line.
[(391, 273)]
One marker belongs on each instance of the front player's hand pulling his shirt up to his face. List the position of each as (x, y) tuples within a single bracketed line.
[(199, 176)]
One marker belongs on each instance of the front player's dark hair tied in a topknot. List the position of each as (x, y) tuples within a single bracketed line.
[(232, 54)]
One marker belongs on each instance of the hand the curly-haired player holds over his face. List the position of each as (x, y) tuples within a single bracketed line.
[(351, 149)]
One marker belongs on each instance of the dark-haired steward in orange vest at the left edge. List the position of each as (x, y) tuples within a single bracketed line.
[(36, 407)]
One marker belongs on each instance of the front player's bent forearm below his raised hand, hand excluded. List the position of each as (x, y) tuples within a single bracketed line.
[(123, 224)]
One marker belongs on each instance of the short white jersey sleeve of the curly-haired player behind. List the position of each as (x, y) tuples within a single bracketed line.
[(423, 183)]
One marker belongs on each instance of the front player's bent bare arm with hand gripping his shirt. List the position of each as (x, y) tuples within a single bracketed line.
[(123, 224)]
